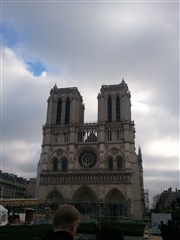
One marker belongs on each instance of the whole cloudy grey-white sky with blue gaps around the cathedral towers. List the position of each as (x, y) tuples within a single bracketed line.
[(86, 44)]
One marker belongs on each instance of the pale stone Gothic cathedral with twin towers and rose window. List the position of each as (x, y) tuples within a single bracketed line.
[(91, 165)]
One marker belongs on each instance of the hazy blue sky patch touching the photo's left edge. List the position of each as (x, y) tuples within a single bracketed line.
[(9, 36)]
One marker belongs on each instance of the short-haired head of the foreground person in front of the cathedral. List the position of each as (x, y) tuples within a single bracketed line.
[(66, 218)]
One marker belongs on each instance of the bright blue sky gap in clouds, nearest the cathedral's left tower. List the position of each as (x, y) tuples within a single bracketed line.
[(35, 67)]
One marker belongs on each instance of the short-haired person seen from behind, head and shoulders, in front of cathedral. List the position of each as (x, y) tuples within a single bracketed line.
[(65, 223)]
